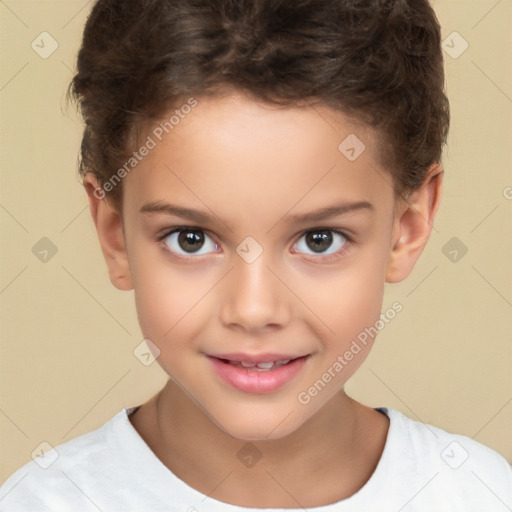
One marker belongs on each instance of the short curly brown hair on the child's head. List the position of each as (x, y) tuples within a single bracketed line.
[(379, 61)]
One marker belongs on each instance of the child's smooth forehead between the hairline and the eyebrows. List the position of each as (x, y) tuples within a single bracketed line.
[(233, 150)]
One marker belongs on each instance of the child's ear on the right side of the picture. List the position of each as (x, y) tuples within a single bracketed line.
[(413, 222)]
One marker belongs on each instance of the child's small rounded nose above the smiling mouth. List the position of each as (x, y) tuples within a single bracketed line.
[(255, 298)]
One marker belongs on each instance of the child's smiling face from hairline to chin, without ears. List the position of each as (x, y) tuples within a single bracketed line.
[(280, 255)]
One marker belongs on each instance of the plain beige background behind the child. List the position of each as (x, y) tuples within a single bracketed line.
[(67, 362)]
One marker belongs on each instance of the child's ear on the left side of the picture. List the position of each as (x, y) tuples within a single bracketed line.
[(109, 226)]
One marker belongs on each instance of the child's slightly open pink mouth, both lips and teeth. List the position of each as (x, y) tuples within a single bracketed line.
[(257, 374)]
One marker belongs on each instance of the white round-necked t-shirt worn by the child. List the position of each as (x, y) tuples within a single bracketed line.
[(112, 469)]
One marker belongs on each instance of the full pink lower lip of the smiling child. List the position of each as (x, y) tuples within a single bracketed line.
[(254, 381)]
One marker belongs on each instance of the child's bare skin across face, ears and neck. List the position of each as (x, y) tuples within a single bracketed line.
[(251, 165)]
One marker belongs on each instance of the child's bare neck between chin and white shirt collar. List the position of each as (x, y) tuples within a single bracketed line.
[(328, 458)]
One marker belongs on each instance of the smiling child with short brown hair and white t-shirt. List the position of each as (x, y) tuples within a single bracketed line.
[(297, 145)]
